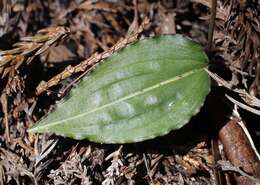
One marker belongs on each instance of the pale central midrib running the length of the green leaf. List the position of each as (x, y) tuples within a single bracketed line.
[(173, 79)]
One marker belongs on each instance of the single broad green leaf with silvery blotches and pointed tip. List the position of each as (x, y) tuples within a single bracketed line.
[(143, 91)]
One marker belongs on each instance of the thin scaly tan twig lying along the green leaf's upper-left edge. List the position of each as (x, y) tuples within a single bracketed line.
[(94, 59)]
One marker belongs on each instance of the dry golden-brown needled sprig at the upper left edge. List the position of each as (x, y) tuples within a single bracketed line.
[(29, 47)]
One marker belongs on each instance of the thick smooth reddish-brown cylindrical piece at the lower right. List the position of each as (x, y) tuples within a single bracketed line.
[(239, 152)]
